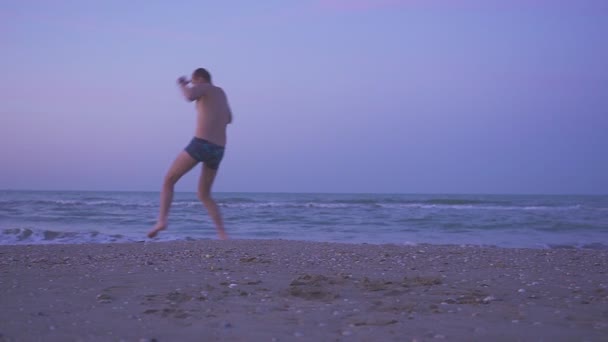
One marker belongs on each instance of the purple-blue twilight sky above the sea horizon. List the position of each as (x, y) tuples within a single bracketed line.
[(410, 96)]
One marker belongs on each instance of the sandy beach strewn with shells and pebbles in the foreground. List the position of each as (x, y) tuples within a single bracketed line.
[(268, 290)]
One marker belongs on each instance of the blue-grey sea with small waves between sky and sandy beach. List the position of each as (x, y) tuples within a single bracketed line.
[(510, 221)]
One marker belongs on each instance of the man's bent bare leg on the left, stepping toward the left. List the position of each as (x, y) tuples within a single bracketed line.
[(182, 164)]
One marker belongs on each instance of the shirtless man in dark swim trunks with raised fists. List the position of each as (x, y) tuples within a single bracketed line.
[(207, 146)]
